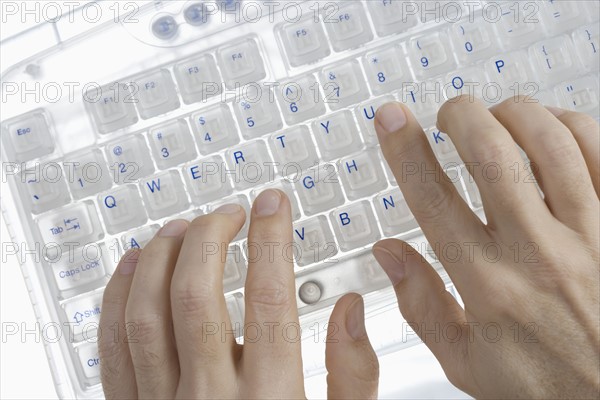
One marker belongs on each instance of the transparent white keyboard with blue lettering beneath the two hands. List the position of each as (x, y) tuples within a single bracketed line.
[(187, 109)]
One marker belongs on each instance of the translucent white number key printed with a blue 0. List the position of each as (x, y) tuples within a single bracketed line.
[(472, 40)]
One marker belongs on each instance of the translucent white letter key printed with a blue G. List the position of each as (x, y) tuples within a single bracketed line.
[(319, 189)]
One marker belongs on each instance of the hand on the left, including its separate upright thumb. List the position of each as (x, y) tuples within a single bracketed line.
[(168, 293)]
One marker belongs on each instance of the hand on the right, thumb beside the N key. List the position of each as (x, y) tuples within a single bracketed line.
[(530, 326)]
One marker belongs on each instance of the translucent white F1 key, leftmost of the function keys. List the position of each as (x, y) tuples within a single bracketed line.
[(111, 107)]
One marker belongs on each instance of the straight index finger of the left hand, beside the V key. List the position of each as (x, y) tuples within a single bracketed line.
[(271, 328)]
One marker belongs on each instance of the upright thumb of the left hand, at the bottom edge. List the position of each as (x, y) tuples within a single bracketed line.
[(352, 366)]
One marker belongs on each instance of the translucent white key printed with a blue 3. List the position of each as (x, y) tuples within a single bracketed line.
[(172, 144)]
